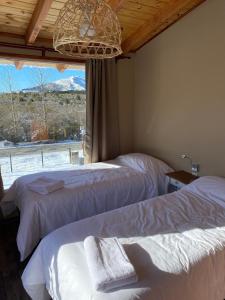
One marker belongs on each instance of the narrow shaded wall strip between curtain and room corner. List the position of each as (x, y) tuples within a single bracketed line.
[(126, 93)]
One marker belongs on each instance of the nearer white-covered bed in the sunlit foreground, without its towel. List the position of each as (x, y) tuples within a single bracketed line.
[(176, 243)]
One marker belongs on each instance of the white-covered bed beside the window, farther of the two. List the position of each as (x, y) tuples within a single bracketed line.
[(89, 190)]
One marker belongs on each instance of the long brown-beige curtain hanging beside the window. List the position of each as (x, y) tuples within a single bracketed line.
[(102, 125)]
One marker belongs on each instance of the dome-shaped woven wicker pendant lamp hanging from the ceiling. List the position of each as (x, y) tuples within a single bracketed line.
[(87, 29)]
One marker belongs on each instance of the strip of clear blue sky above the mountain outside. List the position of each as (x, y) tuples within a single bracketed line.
[(27, 76)]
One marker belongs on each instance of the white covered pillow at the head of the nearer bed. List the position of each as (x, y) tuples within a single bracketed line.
[(210, 187)]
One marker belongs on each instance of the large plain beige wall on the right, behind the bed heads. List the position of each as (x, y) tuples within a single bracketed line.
[(179, 103)]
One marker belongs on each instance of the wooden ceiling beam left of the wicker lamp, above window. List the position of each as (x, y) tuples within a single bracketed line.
[(37, 19)]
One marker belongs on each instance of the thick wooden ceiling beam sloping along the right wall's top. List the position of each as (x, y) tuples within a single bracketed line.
[(175, 10)]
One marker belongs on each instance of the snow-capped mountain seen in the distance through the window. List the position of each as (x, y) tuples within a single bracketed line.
[(73, 83)]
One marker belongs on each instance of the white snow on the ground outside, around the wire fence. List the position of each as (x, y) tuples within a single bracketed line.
[(32, 163)]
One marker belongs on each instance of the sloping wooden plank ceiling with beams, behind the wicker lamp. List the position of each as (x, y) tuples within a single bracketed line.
[(31, 22)]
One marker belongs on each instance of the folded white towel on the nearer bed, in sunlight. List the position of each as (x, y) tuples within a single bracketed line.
[(108, 264)]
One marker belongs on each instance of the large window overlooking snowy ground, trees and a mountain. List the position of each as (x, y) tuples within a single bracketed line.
[(42, 120)]
